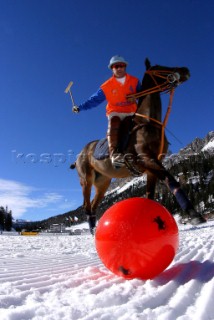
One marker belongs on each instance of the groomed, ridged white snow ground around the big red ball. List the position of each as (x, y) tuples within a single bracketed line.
[(56, 277)]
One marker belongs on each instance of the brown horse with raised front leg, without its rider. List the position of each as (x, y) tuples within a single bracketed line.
[(144, 149)]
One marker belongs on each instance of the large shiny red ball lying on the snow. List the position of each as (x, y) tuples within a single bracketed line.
[(137, 238)]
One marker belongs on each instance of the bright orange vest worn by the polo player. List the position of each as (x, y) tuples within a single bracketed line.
[(116, 93)]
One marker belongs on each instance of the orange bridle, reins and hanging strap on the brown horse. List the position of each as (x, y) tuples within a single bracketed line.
[(172, 80)]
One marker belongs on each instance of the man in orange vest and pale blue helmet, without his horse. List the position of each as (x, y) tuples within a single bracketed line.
[(118, 108)]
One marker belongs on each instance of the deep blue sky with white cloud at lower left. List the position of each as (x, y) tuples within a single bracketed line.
[(44, 44)]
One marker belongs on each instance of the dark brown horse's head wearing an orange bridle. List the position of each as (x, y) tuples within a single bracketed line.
[(163, 78)]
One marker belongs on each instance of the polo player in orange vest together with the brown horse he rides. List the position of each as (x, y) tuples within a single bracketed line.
[(146, 142)]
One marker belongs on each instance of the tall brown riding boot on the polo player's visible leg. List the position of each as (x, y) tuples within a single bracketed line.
[(113, 140)]
